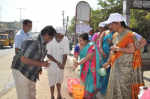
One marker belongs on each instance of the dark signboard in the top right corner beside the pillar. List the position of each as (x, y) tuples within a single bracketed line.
[(140, 4)]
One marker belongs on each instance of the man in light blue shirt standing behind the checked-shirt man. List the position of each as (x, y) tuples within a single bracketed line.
[(22, 34)]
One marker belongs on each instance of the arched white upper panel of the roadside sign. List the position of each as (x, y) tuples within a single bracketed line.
[(83, 11)]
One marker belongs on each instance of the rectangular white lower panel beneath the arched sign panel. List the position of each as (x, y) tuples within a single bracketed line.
[(82, 28)]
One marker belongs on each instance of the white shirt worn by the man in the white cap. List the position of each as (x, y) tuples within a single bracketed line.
[(57, 50)]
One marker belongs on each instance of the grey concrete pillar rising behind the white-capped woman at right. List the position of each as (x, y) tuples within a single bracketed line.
[(126, 11)]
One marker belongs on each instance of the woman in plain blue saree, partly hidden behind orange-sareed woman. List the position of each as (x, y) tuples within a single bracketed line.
[(106, 40)]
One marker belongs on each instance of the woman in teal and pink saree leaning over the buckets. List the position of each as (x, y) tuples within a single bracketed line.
[(89, 65)]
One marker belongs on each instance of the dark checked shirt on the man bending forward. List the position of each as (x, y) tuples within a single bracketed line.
[(34, 48)]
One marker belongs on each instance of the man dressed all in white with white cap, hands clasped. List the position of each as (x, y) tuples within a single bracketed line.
[(58, 49)]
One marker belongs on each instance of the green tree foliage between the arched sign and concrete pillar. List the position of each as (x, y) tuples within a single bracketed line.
[(107, 7)]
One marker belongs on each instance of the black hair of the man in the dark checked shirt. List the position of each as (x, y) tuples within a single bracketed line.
[(48, 30)]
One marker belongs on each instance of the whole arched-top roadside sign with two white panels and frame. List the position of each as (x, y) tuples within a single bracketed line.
[(82, 19)]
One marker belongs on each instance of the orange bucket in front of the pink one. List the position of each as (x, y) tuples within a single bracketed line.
[(78, 91)]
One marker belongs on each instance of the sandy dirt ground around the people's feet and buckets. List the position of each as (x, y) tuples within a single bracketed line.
[(43, 90)]
